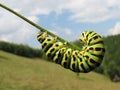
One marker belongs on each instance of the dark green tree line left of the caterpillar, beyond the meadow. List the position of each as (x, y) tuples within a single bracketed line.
[(22, 50)]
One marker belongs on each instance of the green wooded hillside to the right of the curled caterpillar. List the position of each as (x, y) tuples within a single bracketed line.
[(111, 62)]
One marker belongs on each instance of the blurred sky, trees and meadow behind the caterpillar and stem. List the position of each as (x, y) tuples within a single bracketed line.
[(23, 64)]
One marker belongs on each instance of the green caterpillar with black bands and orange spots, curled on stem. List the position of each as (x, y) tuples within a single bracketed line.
[(84, 61)]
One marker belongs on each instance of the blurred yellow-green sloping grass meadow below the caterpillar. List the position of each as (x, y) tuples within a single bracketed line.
[(20, 73)]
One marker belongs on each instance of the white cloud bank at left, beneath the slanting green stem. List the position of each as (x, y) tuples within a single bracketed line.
[(13, 29)]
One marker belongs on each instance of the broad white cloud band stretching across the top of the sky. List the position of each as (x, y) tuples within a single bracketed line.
[(82, 10)]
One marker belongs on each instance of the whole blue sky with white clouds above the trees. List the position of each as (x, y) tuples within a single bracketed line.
[(65, 18)]
